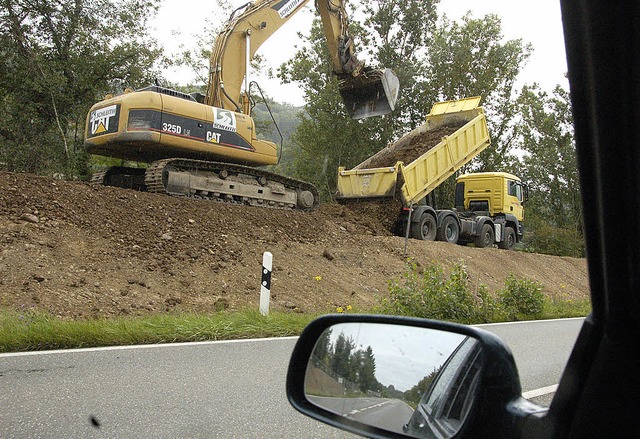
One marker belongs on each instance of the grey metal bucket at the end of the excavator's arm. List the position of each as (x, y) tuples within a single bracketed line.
[(371, 93)]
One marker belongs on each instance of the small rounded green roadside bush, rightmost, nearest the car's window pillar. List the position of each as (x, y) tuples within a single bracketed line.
[(522, 297)]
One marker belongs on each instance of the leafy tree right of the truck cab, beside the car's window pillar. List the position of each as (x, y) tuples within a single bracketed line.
[(549, 165)]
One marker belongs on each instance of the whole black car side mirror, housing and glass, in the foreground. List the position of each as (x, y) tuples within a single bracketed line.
[(384, 376)]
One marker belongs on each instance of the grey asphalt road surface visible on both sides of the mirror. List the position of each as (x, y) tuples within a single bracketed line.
[(217, 389)]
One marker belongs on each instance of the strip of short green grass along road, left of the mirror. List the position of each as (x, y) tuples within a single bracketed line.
[(38, 330)]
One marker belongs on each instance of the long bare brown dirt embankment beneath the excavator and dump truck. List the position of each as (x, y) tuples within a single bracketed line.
[(80, 251)]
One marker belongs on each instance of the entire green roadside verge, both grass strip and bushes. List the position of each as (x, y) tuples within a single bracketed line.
[(429, 294)]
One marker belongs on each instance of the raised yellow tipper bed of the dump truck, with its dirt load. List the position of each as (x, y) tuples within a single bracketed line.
[(453, 134)]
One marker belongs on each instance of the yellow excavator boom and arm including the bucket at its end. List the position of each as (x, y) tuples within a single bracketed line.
[(365, 92)]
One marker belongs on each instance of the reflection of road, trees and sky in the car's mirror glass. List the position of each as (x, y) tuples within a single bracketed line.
[(412, 380)]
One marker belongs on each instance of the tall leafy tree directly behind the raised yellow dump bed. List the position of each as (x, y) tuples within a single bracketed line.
[(471, 58)]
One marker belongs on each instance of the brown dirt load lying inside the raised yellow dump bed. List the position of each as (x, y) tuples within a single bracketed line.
[(409, 147)]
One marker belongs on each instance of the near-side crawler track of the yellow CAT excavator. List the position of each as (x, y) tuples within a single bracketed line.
[(229, 183)]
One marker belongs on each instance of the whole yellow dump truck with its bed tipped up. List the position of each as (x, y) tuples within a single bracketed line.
[(488, 206)]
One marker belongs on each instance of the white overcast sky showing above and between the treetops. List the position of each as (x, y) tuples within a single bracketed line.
[(538, 23)]
